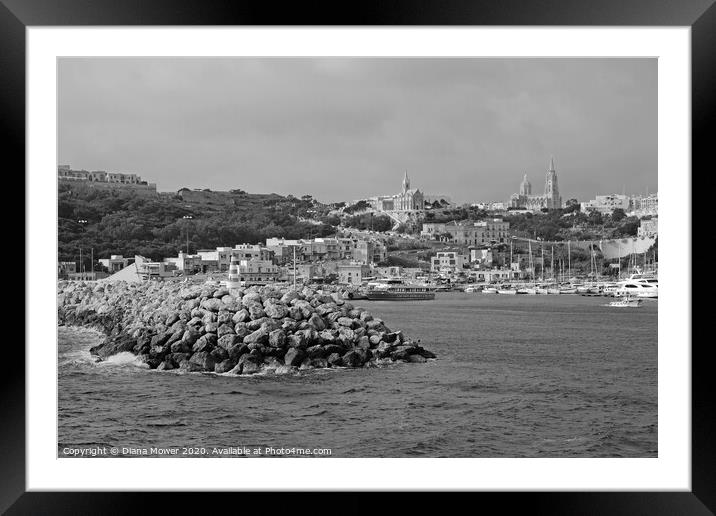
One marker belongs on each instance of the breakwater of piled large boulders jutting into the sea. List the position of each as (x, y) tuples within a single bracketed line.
[(170, 325)]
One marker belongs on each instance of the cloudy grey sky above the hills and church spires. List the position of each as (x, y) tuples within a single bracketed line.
[(342, 129)]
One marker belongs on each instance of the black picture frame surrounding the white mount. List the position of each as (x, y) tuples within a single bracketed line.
[(16, 15)]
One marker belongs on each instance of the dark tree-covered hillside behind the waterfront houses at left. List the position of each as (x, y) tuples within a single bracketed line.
[(119, 222)]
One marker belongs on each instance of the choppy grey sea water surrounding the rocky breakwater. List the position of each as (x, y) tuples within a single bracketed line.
[(516, 376)]
